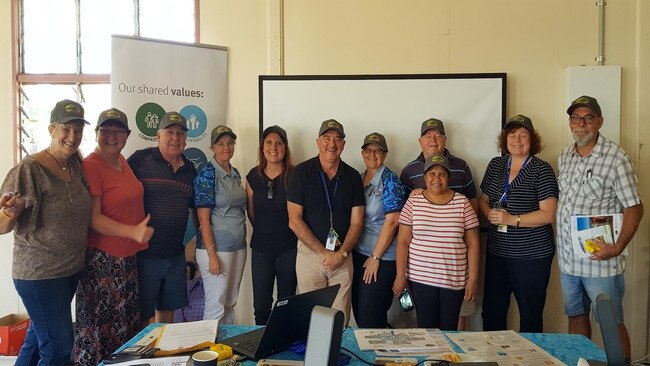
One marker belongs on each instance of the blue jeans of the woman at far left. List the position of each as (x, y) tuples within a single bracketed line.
[(49, 338)]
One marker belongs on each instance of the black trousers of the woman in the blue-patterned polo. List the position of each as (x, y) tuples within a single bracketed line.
[(371, 301)]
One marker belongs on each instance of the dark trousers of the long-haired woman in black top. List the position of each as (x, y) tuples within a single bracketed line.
[(265, 269)]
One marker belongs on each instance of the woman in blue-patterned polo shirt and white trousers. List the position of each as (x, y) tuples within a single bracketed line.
[(220, 202)]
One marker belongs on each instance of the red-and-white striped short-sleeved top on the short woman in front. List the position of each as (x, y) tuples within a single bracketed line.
[(437, 254)]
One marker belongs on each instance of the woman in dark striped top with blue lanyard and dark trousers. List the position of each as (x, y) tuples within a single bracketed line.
[(519, 199)]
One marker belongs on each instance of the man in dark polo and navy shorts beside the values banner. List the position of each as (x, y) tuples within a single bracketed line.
[(168, 180)]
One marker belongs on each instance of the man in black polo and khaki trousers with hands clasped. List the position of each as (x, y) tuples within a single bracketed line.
[(325, 203)]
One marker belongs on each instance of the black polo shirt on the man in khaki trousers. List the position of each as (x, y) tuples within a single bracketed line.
[(307, 190)]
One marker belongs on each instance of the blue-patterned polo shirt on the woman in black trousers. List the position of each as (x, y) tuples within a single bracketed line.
[(384, 194)]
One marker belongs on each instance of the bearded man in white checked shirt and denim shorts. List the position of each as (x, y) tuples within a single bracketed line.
[(596, 177)]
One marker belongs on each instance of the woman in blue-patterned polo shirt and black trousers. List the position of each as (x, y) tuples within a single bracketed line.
[(374, 255)]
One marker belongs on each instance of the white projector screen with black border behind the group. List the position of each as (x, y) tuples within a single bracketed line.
[(472, 107)]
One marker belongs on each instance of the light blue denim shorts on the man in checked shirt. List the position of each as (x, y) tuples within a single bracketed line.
[(579, 293)]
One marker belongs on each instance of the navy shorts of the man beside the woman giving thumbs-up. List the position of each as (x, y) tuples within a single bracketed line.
[(162, 284)]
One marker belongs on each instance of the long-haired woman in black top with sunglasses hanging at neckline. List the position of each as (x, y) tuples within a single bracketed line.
[(273, 244)]
